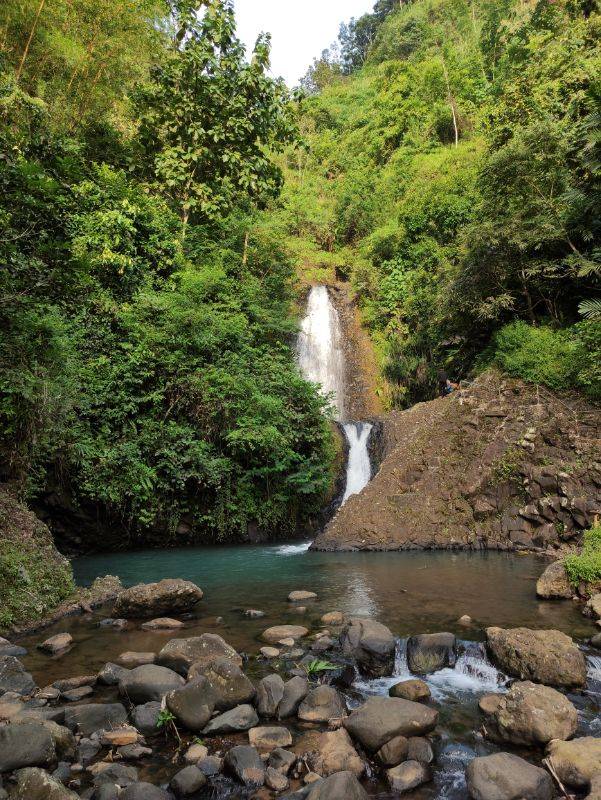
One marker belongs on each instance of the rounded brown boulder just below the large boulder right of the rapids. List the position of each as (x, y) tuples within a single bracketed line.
[(531, 714)]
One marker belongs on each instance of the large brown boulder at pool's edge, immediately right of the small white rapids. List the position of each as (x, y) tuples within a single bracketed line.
[(548, 657)]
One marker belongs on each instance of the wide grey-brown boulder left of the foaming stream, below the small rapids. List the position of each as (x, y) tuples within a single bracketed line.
[(380, 719)]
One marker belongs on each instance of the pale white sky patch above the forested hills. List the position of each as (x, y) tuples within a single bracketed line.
[(300, 29)]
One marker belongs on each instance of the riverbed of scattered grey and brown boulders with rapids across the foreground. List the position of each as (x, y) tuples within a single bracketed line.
[(334, 709)]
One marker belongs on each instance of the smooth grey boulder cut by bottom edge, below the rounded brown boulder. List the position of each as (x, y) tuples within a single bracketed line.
[(503, 776)]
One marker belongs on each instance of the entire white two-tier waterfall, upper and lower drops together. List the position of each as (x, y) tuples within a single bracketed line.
[(321, 359)]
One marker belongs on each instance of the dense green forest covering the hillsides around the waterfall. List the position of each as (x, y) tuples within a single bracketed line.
[(161, 195)]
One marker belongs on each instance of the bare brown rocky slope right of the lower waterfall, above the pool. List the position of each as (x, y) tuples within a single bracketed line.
[(500, 465)]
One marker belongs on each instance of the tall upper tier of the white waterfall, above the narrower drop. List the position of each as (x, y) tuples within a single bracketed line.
[(320, 353)]
